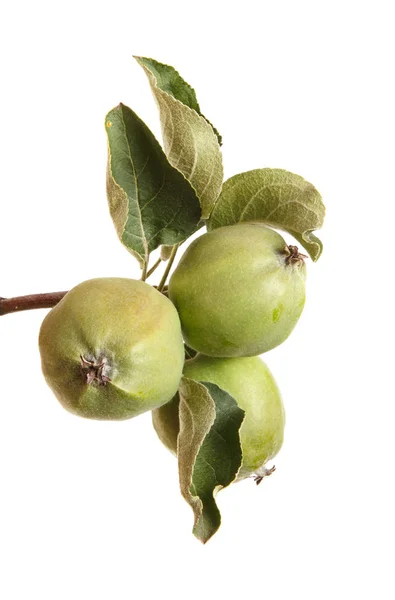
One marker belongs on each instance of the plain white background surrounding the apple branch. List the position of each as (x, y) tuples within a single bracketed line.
[(92, 511)]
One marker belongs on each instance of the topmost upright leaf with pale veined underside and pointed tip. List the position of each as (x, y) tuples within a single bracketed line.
[(190, 142)]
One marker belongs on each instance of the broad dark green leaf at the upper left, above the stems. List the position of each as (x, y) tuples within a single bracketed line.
[(151, 202)]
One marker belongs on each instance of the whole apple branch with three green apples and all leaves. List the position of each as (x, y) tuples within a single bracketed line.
[(189, 351)]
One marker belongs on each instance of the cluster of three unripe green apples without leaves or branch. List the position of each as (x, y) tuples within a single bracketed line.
[(114, 348)]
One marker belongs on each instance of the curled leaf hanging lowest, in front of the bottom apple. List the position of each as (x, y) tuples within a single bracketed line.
[(209, 451)]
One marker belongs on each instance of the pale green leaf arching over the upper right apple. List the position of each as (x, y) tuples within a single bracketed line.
[(275, 197)]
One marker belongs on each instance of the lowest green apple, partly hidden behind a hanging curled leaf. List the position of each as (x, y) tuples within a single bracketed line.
[(252, 385)]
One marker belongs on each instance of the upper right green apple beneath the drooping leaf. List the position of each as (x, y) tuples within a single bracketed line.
[(236, 291)]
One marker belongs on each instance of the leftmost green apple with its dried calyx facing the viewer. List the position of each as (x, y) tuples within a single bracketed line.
[(131, 330)]
